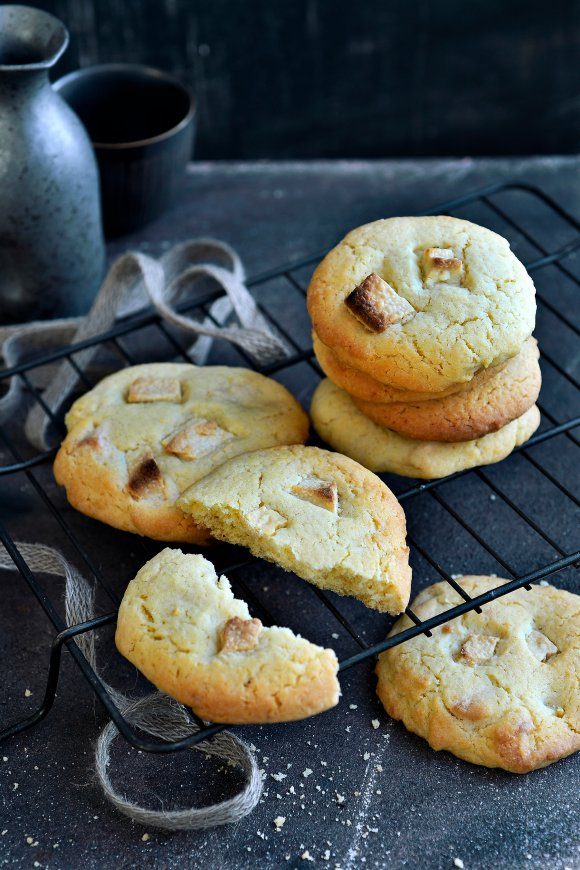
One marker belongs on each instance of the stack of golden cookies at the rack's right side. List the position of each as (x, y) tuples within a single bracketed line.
[(423, 326)]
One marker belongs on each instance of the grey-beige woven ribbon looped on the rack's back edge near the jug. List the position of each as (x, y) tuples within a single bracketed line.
[(136, 279)]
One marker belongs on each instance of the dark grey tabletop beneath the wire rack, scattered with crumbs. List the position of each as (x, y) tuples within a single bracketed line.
[(405, 805)]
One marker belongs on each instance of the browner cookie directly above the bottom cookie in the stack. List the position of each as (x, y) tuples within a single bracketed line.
[(490, 402)]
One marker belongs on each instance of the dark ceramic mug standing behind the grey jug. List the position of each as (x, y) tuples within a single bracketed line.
[(141, 123)]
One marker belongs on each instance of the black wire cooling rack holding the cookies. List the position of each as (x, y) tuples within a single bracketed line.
[(533, 491)]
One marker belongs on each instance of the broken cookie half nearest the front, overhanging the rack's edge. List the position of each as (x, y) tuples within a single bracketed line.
[(181, 626)]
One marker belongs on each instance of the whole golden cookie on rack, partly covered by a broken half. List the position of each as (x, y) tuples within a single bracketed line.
[(144, 434)]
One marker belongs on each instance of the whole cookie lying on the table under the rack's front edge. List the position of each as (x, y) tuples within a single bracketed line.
[(498, 688)]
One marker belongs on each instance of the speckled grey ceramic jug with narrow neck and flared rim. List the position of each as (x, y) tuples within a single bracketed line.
[(51, 240)]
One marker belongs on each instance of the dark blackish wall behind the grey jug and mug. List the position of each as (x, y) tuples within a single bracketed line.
[(326, 78)]
